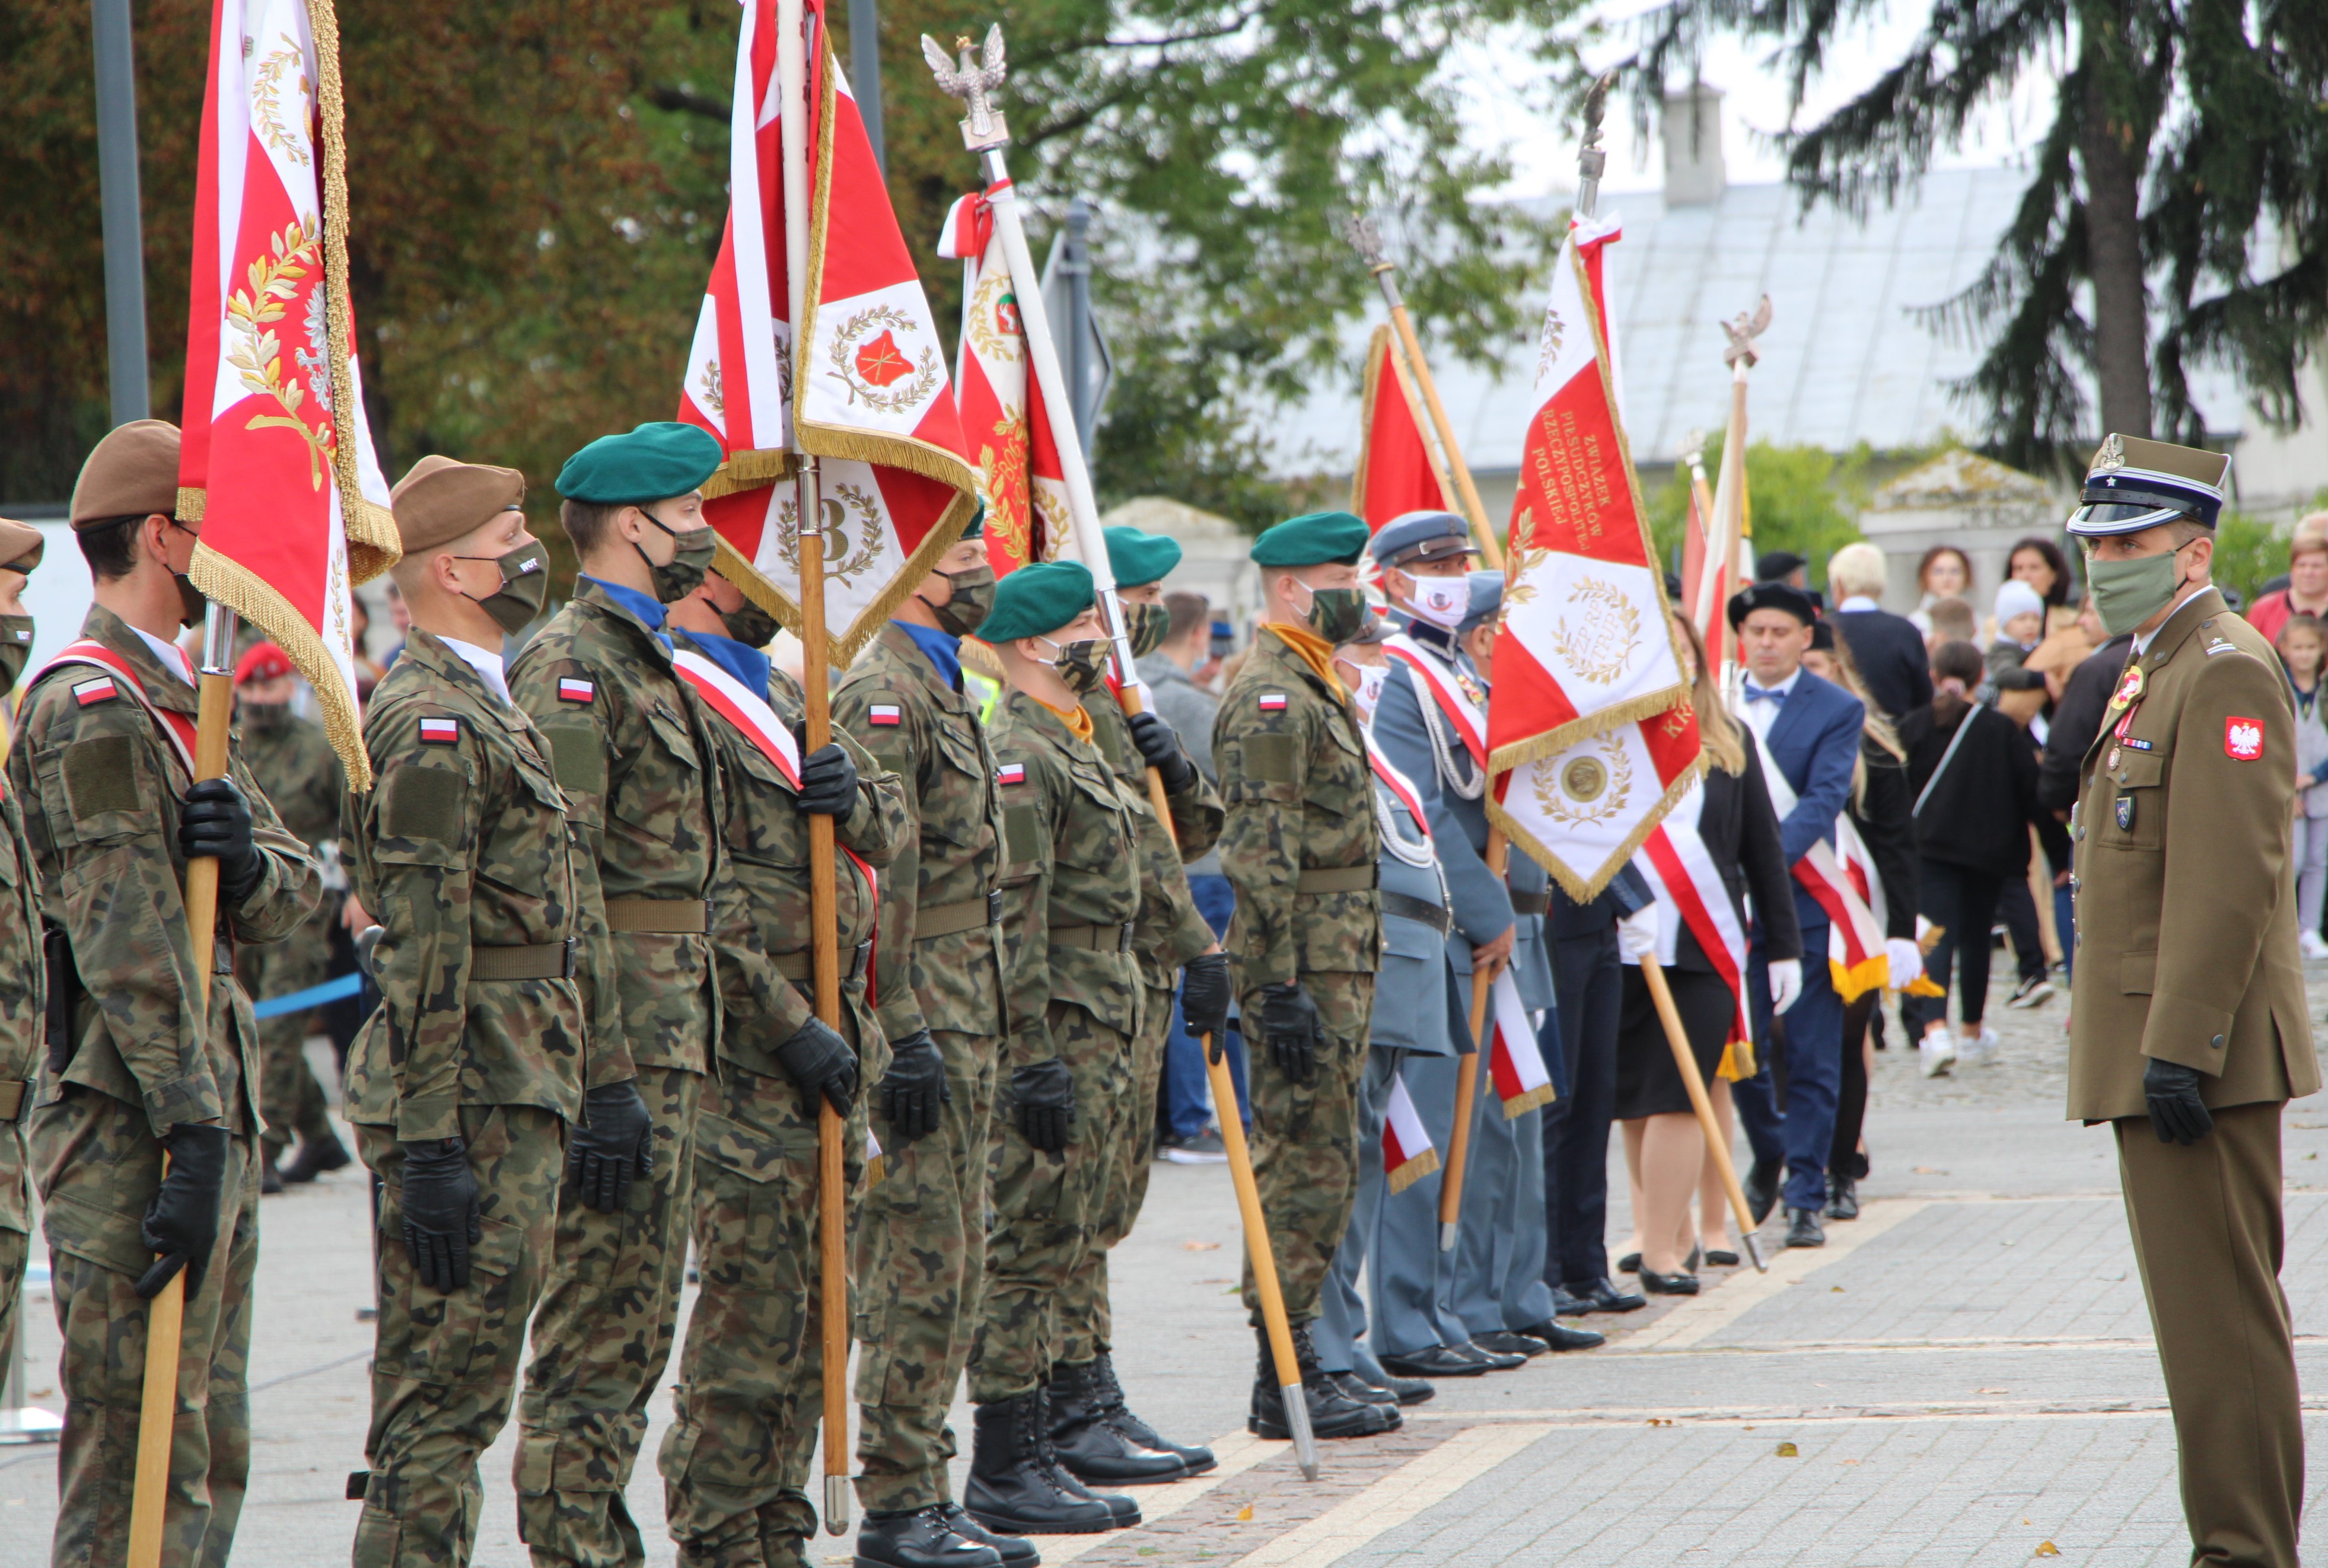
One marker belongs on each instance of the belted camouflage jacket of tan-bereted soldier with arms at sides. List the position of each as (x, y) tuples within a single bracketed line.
[(464, 848)]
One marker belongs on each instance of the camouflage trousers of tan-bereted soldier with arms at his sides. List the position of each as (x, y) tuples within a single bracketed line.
[(446, 1364)]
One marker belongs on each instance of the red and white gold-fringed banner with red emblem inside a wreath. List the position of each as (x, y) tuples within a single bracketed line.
[(872, 399)]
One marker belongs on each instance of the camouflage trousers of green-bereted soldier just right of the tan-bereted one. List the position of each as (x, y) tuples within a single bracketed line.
[(602, 1341)]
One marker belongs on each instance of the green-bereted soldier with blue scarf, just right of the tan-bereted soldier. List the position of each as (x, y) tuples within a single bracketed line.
[(630, 753)]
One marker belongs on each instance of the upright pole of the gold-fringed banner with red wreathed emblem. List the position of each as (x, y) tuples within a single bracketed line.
[(818, 732)]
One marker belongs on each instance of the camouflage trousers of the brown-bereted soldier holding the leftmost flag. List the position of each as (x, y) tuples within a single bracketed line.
[(99, 1167)]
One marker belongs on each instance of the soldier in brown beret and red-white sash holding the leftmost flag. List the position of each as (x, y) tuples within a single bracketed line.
[(134, 1071)]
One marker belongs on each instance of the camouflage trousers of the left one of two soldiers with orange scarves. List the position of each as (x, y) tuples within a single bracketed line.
[(1044, 1209)]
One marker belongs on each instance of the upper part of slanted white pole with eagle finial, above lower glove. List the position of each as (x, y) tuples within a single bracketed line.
[(986, 134)]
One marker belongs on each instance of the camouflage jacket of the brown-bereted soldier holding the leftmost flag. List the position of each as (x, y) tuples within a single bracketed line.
[(101, 790)]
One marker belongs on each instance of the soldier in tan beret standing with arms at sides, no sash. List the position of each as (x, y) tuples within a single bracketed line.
[(497, 1015)]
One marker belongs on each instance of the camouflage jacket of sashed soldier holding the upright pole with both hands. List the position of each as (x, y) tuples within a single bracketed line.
[(767, 988)]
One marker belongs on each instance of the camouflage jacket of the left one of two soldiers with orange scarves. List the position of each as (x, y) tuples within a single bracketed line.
[(1072, 881)]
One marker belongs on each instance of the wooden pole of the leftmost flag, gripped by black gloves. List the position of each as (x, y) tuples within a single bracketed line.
[(166, 1316)]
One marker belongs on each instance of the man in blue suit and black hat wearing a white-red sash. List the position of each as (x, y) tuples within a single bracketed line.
[(1810, 739)]
